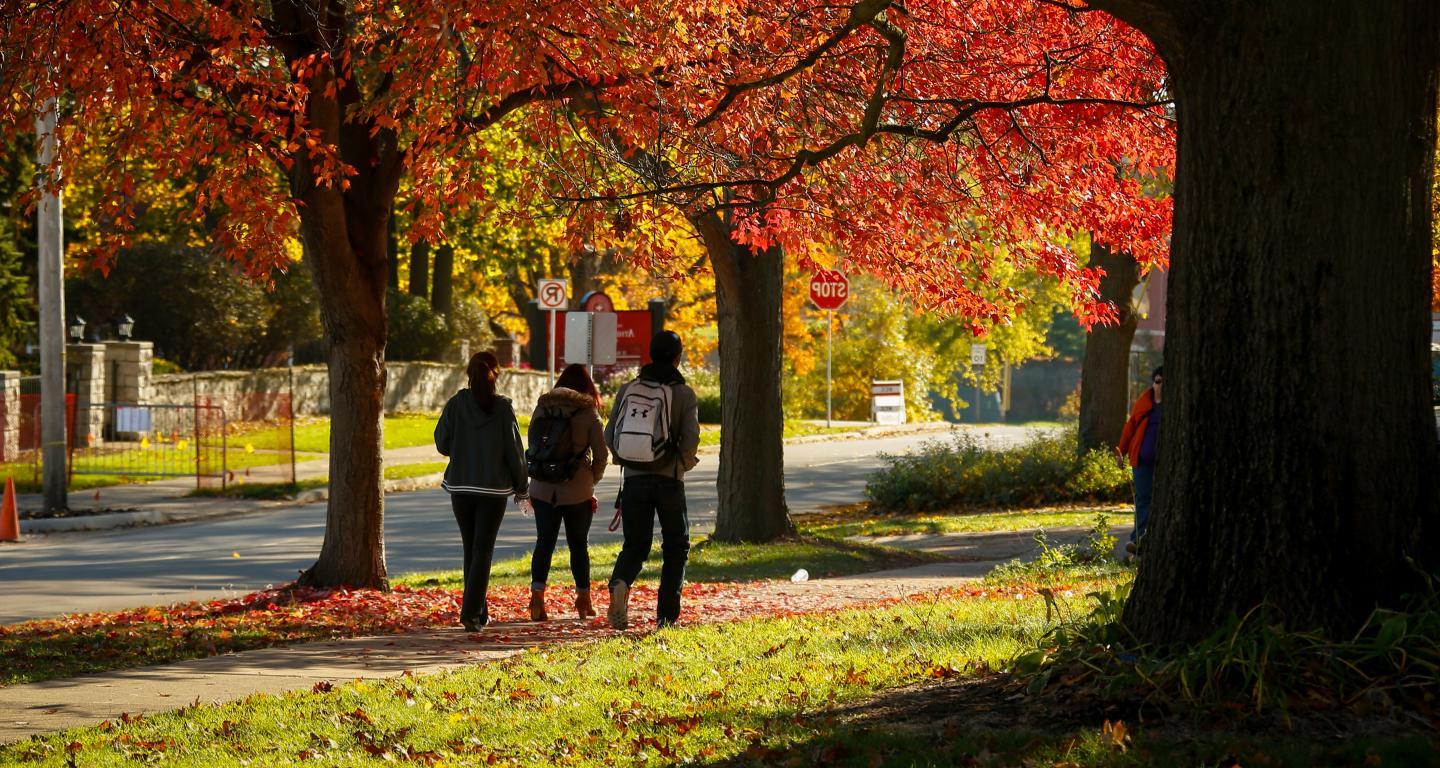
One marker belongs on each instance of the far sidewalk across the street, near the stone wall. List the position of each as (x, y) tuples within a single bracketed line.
[(166, 501)]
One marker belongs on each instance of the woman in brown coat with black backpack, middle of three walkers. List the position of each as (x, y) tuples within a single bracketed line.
[(567, 459)]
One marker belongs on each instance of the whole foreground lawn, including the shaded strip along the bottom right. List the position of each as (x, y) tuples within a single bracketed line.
[(904, 685)]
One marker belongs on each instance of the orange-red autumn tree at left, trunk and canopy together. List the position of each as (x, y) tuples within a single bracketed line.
[(302, 117)]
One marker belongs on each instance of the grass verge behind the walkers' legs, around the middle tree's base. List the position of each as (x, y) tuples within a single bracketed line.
[(709, 563)]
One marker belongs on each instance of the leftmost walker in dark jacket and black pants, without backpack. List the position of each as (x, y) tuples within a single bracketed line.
[(487, 463)]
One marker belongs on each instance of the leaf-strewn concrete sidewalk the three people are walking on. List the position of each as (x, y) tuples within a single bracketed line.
[(57, 705)]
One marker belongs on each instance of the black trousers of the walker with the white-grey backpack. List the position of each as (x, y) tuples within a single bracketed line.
[(646, 498)]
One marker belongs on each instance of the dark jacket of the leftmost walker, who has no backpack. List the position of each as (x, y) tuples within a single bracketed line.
[(486, 453)]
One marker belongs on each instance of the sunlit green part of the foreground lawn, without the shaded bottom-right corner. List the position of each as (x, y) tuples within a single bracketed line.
[(692, 694)]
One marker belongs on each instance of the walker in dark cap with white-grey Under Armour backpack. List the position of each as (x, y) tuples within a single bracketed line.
[(654, 433)]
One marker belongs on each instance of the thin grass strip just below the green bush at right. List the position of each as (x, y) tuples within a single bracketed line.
[(866, 524)]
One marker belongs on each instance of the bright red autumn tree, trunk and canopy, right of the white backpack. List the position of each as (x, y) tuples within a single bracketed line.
[(866, 130)]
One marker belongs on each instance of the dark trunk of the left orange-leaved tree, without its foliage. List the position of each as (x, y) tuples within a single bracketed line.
[(346, 236)]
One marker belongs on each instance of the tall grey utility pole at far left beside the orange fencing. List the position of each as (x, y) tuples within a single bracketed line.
[(53, 313)]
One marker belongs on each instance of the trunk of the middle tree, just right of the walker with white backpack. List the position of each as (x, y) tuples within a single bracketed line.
[(752, 465)]
